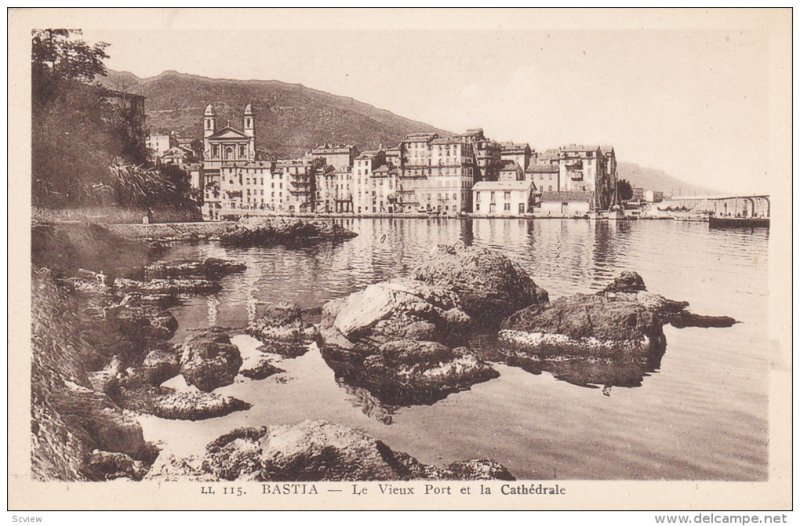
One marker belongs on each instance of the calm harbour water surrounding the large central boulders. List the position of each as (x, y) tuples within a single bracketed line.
[(701, 415)]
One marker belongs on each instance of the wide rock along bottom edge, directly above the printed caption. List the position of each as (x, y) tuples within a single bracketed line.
[(323, 451)]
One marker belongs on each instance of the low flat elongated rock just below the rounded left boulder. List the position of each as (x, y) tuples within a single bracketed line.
[(168, 403)]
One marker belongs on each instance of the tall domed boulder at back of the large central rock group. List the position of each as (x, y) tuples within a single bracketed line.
[(488, 284)]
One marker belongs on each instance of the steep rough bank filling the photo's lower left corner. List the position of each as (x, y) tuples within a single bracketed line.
[(69, 419)]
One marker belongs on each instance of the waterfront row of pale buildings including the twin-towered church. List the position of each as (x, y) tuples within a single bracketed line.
[(425, 173)]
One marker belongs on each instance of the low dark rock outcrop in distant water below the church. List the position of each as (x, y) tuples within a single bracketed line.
[(272, 231)]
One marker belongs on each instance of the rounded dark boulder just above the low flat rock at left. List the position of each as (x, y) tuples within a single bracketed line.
[(209, 360)]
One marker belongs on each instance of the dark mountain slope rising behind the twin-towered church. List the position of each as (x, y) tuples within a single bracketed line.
[(290, 118)]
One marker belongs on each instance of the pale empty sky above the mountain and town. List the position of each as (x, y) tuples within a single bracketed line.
[(691, 101)]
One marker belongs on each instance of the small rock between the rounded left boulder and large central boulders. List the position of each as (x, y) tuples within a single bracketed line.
[(282, 330)]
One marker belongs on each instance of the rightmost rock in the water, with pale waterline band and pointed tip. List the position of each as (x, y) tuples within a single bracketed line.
[(615, 335)]
